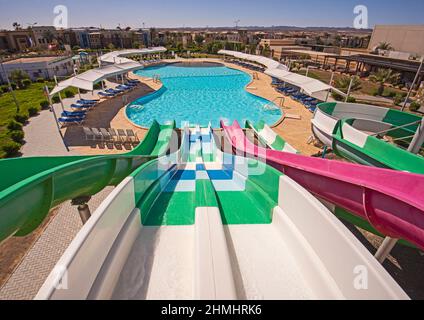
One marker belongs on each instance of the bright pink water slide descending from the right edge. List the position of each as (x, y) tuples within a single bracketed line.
[(392, 201)]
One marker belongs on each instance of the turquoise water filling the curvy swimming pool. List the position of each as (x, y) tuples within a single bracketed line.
[(199, 95)]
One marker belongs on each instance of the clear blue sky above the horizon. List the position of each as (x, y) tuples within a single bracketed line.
[(201, 13)]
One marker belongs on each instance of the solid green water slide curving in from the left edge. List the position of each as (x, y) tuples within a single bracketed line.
[(30, 187)]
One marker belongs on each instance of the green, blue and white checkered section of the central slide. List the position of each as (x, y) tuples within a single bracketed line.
[(244, 190)]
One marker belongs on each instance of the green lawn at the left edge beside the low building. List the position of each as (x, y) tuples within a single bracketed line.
[(32, 96)]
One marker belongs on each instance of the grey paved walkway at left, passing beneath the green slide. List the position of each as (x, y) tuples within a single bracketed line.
[(43, 138)]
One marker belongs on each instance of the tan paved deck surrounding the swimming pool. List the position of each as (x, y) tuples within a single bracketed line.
[(110, 113)]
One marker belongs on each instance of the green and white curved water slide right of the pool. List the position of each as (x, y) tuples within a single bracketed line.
[(369, 135)]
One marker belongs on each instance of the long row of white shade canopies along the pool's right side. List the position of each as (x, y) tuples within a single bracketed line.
[(277, 70)]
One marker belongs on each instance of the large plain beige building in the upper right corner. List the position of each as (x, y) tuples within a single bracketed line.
[(403, 38)]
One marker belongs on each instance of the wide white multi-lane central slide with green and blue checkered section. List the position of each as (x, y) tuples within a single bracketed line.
[(147, 241)]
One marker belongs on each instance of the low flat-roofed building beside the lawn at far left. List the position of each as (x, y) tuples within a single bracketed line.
[(36, 67)]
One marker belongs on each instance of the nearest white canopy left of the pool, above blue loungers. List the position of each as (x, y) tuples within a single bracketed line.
[(88, 79)]
